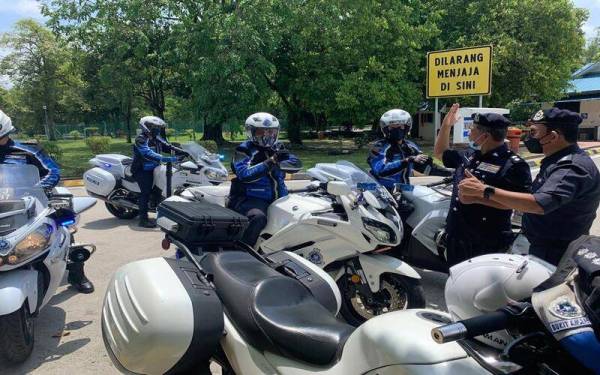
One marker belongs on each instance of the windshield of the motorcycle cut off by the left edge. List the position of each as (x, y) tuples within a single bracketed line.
[(18, 182)]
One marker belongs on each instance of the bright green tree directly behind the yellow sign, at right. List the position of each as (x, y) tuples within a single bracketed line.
[(537, 44)]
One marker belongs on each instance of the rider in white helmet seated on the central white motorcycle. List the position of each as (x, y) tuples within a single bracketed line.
[(260, 179)]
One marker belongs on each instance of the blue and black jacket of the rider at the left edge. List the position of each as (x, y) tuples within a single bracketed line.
[(18, 153)]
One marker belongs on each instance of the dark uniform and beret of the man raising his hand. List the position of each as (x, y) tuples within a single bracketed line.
[(475, 229)]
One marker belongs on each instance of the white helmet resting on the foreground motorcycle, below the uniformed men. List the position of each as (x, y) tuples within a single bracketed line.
[(488, 282)]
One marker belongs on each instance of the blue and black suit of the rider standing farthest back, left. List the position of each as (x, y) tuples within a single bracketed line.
[(147, 156)]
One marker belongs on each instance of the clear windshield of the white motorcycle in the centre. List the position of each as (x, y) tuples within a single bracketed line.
[(356, 178)]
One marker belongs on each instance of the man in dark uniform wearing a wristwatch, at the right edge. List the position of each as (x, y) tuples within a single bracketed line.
[(566, 191)]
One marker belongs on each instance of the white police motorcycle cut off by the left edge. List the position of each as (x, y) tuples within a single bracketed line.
[(36, 245)]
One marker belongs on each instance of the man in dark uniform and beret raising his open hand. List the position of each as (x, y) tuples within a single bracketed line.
[(473, 228)]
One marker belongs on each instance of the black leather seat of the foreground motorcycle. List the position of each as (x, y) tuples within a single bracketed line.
[(274, 312)]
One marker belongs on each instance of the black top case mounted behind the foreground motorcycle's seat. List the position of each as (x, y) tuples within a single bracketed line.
[(203, 222)]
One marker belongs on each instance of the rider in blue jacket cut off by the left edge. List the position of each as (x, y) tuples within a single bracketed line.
[(12, 152)]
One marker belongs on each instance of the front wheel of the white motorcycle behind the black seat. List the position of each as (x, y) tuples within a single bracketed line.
[(396, 292)]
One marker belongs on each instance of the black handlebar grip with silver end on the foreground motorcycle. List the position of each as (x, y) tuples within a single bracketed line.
[(473, 327)]
